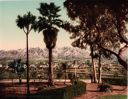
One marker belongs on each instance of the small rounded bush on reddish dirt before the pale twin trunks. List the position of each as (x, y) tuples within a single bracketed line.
[(105, 87)]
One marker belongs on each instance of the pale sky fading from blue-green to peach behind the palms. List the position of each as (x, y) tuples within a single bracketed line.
[(12, 37)]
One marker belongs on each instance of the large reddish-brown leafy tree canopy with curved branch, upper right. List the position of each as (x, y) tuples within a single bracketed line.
[(105, 19)]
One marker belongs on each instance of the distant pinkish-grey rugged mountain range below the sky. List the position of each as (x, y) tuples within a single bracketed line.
[(38, 53)]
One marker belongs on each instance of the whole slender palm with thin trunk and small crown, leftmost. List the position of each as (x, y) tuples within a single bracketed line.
[(26, 23)]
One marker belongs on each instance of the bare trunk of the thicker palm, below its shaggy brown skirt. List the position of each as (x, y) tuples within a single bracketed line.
[(50, 70)]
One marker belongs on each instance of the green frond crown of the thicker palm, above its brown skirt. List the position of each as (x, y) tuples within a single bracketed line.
[(49, 16)]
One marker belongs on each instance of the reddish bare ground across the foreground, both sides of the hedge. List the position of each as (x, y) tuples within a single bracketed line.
[(92, 92)]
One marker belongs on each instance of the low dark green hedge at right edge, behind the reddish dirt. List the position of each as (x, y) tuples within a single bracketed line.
[(115, 81)]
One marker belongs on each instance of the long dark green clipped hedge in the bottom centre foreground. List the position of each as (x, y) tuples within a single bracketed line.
[(61, 93)]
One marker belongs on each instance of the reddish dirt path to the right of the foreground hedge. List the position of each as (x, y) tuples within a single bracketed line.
[(92, 92)]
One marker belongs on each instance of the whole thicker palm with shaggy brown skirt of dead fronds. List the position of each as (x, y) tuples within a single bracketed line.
[(48, 23)]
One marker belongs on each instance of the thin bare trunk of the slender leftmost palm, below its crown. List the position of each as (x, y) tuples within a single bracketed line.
[(27, 63)]
